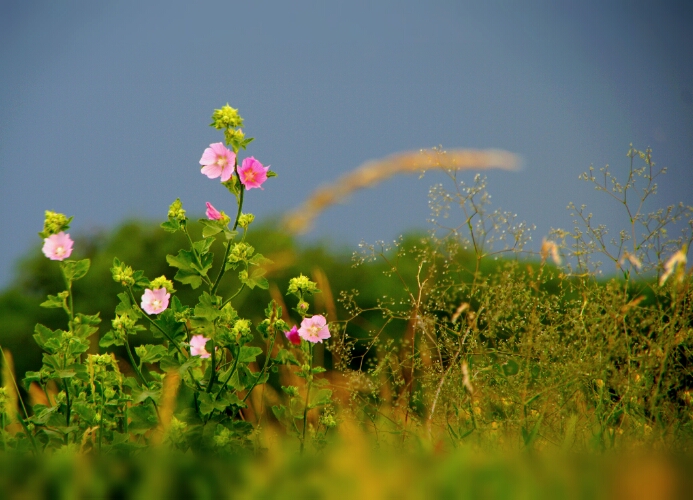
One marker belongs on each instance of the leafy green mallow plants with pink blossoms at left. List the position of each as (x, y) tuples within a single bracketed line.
[(207, 347)]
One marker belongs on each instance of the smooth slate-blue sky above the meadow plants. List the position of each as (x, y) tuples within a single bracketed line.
[(105, 106)]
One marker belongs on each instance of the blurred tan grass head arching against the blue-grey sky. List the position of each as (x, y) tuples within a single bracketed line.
[(374, 172)]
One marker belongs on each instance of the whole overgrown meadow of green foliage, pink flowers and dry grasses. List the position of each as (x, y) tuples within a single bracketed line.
[(453, 361)]
